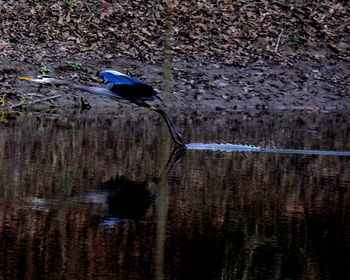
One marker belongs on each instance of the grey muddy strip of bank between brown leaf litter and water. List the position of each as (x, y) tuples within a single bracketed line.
[(312, 85)]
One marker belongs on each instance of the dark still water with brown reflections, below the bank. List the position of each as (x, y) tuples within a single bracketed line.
[(101, 197)]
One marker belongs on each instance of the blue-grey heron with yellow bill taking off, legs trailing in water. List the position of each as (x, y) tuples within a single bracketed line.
[(121, 88)]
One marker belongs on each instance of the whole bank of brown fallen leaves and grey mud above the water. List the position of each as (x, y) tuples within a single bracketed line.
[(226, 56)]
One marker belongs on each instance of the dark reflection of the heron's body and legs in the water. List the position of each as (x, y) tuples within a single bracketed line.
[(123, 199)]
